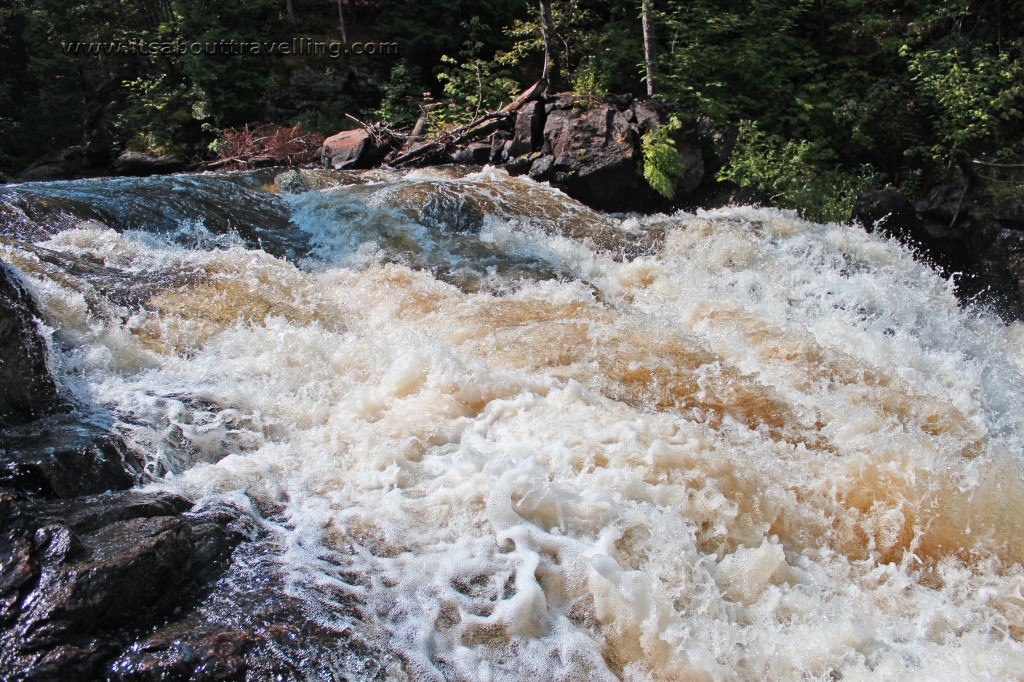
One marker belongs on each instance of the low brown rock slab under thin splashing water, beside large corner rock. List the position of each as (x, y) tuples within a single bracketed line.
[(249, 627)]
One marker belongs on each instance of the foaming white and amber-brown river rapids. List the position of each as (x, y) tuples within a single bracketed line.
[(497, 436)]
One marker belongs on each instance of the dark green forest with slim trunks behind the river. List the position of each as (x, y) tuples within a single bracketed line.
[(828, 98)]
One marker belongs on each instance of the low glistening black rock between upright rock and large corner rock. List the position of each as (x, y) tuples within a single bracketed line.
[(65, 457)]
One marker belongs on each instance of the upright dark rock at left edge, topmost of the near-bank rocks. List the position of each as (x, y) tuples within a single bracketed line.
[(27, 389)]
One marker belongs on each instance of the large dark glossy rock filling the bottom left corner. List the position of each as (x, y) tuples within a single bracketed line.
[(77, 578)]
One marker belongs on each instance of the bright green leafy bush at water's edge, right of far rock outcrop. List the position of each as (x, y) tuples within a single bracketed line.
[(799, 175)]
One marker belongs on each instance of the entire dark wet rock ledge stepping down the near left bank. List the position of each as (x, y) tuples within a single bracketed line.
[(88, 565)]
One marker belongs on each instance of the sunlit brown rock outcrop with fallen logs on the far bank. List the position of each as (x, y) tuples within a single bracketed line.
[(590, 151)]
